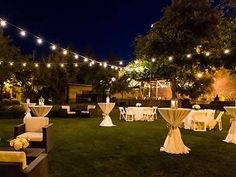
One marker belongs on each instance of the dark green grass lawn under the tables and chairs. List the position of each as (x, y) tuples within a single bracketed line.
[(82, 148)]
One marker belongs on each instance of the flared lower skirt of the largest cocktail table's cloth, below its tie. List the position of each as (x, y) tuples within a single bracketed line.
[(174, 143)]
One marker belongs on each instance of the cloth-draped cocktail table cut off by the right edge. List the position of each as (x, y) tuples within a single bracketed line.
[(231, 137)]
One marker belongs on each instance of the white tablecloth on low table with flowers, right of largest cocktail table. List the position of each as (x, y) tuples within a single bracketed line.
[(205, 115)]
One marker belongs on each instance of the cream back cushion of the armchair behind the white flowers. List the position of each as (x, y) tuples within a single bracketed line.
[(35, 124)]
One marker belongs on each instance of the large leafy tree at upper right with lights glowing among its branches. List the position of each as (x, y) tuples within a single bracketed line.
[(187, 27)]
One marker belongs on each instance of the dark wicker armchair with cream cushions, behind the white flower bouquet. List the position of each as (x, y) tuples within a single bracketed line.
[(38, 130)]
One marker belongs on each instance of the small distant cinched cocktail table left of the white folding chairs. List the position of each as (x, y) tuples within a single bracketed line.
[(106, 109)]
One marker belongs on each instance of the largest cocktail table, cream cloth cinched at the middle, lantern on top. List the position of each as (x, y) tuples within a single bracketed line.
[(174, 143)]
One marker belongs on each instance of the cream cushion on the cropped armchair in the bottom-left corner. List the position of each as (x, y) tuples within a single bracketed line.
[(12, 156)]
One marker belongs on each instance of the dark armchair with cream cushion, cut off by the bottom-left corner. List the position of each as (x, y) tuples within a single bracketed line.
[(13, 164)]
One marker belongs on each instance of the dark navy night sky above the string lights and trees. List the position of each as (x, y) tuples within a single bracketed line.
[(106, 26)]
